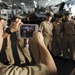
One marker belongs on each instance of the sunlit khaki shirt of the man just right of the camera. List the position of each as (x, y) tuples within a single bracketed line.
[(46, 29)]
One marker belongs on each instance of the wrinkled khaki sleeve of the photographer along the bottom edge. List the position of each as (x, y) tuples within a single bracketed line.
[(39, 69)]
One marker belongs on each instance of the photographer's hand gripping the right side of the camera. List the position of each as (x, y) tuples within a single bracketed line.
[(38, 37)]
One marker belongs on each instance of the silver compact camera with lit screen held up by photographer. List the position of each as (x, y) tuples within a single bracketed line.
[(26, 30)]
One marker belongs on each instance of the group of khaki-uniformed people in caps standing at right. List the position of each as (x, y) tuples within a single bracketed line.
[(59, 35)]
